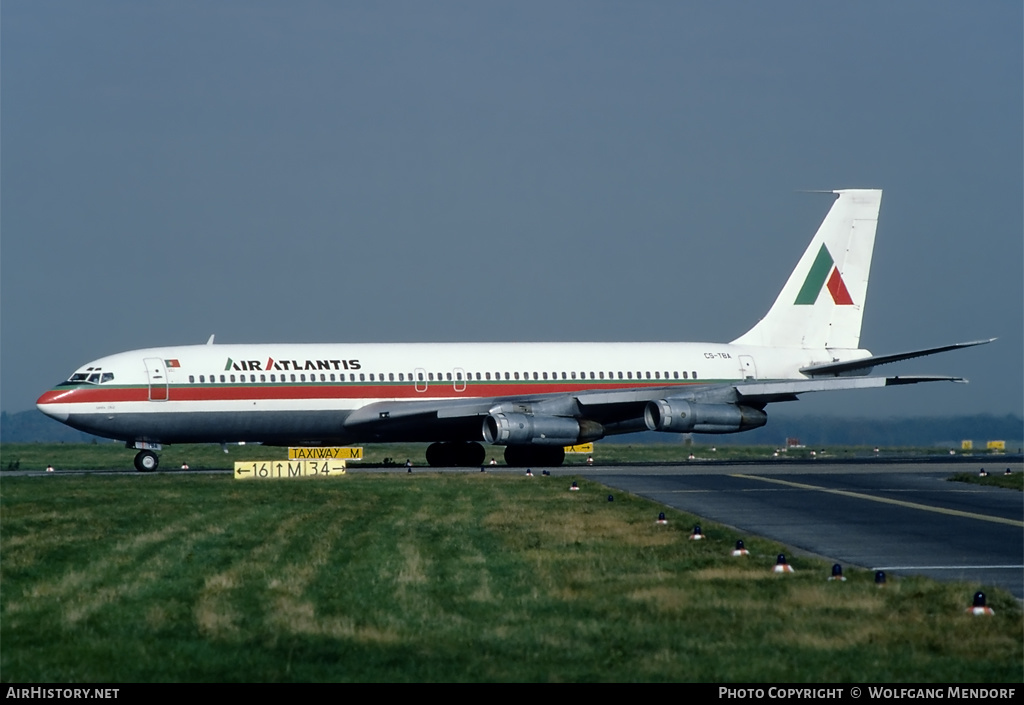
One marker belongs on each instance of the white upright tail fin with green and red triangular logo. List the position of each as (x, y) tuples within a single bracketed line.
[(823, 304)]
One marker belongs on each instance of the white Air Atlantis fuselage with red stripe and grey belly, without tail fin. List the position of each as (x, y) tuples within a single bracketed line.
[(279, 393)]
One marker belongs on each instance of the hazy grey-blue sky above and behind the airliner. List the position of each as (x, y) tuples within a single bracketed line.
[(386, 172)]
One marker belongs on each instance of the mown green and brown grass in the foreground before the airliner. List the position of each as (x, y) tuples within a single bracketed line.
[(444, 577)]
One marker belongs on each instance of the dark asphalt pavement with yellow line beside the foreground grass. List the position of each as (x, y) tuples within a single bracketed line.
[(902, 519)]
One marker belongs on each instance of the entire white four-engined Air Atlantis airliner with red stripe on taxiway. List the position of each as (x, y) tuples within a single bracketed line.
[(533, 399)]
